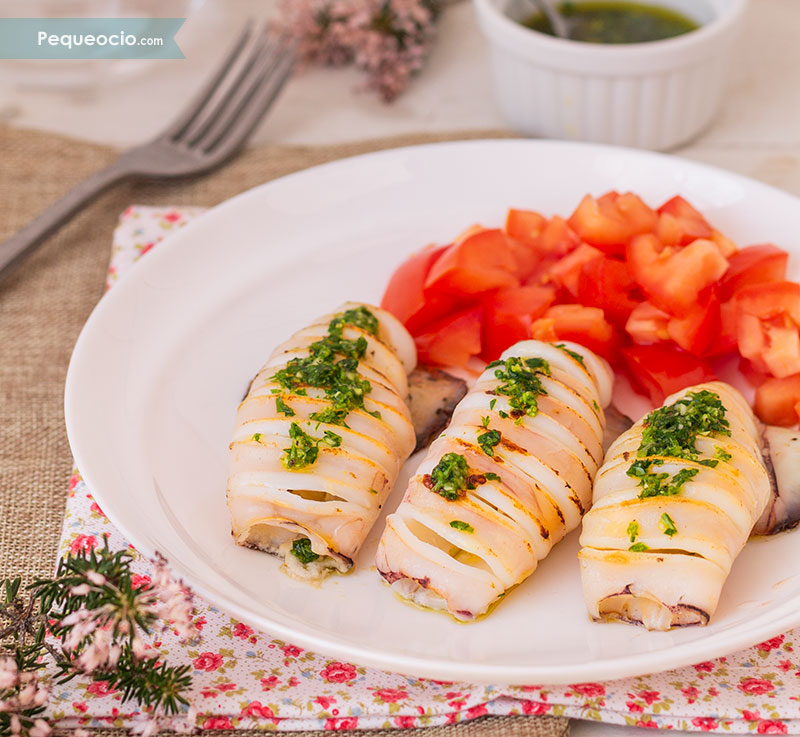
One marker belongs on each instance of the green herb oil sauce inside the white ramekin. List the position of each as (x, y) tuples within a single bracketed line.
[(616, 22)]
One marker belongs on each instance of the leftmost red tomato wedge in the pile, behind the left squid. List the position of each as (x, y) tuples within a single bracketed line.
[(404, 296)]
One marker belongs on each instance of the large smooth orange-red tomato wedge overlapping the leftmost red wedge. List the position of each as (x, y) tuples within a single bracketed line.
[(479, 262)]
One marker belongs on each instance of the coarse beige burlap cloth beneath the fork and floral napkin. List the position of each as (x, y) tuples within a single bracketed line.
[(44, 304)]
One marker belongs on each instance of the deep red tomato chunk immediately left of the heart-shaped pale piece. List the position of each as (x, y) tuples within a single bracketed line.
[(607, 283)]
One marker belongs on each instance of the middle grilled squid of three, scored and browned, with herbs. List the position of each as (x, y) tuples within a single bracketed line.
[(508, 478)]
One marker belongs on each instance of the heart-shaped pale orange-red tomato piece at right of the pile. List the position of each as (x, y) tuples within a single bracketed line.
[(673, 279)]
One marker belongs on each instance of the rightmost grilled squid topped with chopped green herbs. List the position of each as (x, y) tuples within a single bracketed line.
[(674, 504)]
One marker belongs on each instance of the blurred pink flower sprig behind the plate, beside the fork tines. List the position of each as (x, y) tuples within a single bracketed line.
[(388, 39)]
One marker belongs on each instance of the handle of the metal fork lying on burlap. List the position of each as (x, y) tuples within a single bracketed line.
[(32, 235)]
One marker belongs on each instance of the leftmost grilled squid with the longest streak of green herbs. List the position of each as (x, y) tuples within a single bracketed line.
[(320, 438)]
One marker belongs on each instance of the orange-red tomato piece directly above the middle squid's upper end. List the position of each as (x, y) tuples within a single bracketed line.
[(585, 325)]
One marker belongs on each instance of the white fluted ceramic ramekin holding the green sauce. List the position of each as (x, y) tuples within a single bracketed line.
[(651, 95)]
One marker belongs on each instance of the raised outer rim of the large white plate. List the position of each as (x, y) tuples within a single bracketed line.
[(676, 656)]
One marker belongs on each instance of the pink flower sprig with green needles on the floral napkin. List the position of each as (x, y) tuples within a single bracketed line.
[(91, 619)]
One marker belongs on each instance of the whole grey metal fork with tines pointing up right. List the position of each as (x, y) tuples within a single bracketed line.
[(211, 129)]
